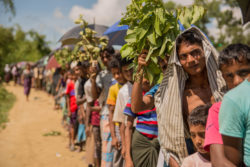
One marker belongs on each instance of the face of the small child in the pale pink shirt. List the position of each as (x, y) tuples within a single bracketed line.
[(198, 136)]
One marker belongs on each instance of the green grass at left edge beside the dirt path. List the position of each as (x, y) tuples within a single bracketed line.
[(6, 102)]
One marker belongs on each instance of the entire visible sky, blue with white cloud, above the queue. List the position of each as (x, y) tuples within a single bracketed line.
[(55, 17)]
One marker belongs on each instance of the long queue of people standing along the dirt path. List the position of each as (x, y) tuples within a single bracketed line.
[(198, 116)]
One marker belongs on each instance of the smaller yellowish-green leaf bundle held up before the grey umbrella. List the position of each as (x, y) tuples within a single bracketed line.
[(90, 43)]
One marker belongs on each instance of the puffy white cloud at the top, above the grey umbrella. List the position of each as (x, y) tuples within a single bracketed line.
[(105, 12)]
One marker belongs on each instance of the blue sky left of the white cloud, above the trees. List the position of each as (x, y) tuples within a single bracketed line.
[(48, 17)]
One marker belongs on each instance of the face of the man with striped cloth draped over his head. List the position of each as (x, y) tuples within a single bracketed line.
[(192, 58)]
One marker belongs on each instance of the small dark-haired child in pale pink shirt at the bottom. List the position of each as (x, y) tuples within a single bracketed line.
[(197, 123)]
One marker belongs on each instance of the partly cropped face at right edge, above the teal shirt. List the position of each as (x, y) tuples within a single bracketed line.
[(235, 73)]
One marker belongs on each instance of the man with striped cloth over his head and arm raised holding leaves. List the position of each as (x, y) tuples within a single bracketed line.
[(189, 81)]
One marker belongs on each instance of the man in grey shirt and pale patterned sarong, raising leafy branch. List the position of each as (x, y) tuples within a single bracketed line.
[(100, 88)]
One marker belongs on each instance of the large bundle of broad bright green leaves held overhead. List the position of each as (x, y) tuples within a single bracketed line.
[(154, 29)]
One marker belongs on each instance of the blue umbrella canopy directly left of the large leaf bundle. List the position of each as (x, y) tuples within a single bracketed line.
[(116, 34)]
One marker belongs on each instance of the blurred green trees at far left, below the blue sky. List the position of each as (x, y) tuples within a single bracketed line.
[(17, 45)]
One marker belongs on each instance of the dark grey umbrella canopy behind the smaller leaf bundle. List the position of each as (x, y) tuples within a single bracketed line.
[(73, 36)]
